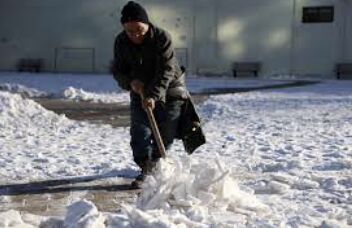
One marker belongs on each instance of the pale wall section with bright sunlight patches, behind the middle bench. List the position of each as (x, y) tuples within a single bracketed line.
[(259, 31)]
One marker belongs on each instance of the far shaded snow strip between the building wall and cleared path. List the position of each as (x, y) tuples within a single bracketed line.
[(102, 88)]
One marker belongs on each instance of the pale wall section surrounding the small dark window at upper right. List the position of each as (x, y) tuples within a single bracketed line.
[(316, 46)]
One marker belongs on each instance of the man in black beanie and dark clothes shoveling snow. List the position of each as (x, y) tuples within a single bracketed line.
[(145, 64)]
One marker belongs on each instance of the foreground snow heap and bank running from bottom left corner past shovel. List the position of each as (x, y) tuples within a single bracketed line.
[(203, 195)]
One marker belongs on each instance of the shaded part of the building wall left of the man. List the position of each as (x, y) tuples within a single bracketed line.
[(69, 35)]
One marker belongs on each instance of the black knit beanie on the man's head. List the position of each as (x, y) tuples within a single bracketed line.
[(132, 11)]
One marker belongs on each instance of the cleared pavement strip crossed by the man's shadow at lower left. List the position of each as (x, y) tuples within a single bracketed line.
[(50, 198)]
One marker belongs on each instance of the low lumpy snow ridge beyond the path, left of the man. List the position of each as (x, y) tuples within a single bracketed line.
[(80, 95)]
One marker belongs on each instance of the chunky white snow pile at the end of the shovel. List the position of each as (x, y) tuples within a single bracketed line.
[(198, 196)]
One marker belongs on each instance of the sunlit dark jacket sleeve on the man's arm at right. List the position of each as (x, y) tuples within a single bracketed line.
[(165, 69)]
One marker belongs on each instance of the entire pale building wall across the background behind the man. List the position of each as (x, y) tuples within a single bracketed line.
[(78, 35)]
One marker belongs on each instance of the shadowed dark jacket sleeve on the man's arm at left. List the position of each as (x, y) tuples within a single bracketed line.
[(120, 68)]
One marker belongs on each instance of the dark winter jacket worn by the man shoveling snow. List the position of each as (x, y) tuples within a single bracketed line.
[(153, 62)]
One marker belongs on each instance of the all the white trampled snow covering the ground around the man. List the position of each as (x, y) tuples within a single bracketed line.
[(280, 158)]
